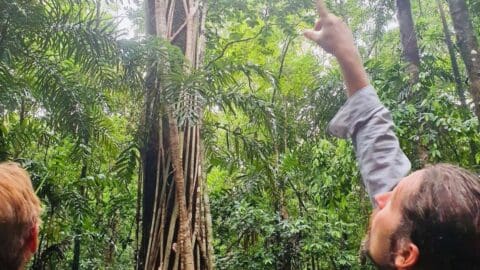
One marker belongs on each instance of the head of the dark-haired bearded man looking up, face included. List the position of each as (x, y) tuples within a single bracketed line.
[(431, 220)]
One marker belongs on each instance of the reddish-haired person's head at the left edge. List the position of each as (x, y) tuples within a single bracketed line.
[(19, 217)]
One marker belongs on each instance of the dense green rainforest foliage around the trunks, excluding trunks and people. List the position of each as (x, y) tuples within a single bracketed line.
[(283, 193)]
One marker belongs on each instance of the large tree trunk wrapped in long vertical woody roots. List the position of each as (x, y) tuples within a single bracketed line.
[(176, 229)]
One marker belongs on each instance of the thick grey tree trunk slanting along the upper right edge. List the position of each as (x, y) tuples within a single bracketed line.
[(468, 44)]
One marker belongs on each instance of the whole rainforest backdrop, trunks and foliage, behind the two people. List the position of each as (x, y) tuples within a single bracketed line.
[(112, 106)]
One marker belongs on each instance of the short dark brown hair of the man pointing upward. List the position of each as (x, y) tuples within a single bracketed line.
[(443, 219)]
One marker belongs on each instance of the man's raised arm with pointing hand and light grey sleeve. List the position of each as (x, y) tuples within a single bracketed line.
[(363, 118)]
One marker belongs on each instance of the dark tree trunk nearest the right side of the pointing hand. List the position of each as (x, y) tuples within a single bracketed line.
[(408, 38)]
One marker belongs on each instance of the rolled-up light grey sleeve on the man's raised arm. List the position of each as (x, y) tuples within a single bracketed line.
[(365, 120)]
